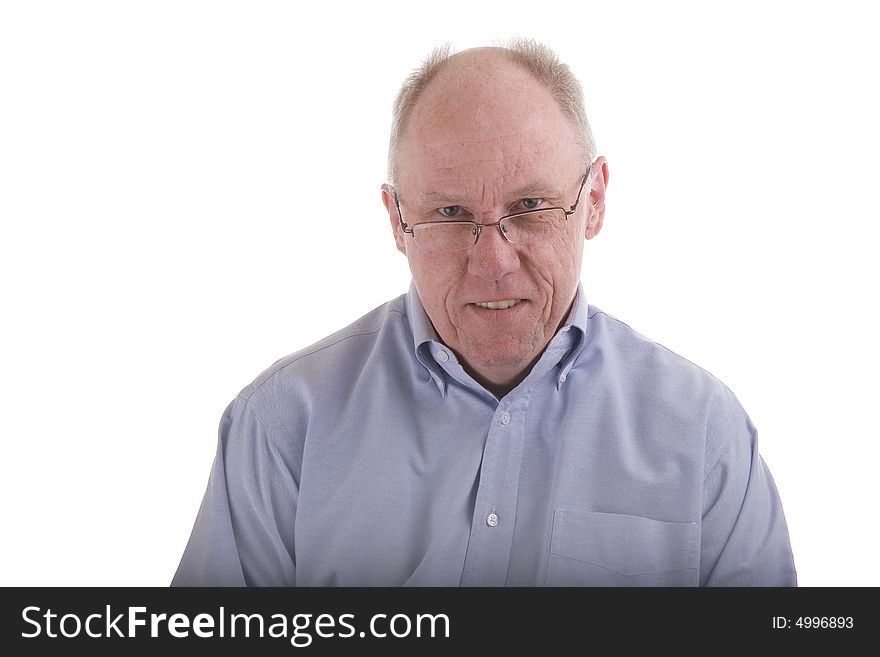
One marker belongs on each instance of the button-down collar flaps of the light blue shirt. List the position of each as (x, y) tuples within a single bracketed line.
[(568, 342)]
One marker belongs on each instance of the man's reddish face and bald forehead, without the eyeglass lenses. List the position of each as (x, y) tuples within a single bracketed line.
[(485, 140)]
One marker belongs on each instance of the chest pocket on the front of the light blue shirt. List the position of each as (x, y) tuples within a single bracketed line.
[(611, 549)]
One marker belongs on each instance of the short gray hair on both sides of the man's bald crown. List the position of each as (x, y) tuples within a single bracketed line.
[(534, 57)]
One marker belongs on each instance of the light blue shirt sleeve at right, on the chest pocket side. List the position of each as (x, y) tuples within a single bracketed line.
[(745, 539)]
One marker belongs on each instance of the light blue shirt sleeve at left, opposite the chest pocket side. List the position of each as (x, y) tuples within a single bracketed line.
[(243, 534)]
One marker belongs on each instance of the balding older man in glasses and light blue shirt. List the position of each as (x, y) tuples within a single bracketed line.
[(489, 427)]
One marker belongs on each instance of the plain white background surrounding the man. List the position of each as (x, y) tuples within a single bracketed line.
[(190, 190)]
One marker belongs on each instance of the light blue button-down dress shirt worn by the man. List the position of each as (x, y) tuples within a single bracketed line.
[(373, 459)]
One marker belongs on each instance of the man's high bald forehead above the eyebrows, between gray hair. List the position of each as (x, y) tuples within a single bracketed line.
[(486, 120)]
